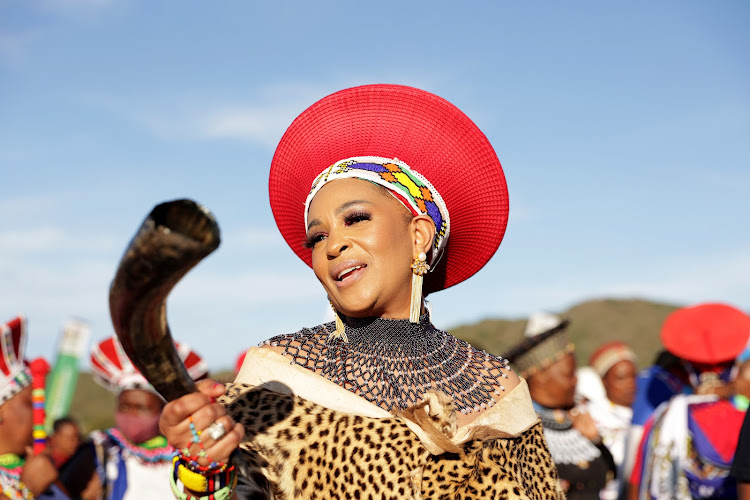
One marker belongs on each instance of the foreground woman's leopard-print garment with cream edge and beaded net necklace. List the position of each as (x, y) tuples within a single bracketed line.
[(331, 404)]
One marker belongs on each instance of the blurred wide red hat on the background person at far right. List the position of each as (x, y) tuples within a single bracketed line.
[(706, 333)]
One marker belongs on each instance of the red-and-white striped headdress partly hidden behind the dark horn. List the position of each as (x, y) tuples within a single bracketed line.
[(113, 370)]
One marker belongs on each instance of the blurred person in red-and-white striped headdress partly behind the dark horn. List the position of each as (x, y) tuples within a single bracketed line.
[(133, 459)]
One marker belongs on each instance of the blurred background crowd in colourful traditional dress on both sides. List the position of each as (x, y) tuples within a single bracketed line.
[(671, 430)]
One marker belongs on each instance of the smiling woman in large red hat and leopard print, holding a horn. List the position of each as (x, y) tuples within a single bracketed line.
[(389, 193)]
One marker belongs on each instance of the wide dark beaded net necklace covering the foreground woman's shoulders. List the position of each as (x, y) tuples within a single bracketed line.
[(392, 363)]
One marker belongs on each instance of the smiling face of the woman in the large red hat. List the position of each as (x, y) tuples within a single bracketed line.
[(363, 243)]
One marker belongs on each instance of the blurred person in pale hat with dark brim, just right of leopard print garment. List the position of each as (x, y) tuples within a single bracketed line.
[(546, 358)]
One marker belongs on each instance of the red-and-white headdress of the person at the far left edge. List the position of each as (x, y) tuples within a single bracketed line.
[(15, 374)]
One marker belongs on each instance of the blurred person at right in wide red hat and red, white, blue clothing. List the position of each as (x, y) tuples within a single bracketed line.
[(689, 443)]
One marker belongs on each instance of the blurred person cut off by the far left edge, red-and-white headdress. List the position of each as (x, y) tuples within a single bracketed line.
[(22, 474)]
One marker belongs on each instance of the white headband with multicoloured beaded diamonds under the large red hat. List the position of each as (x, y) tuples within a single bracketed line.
[(406, 185)]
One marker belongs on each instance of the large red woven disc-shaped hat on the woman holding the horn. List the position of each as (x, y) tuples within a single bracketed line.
[(430, 135)]
